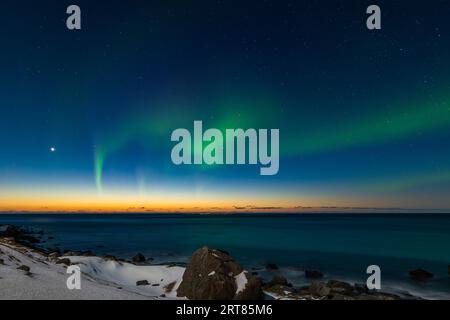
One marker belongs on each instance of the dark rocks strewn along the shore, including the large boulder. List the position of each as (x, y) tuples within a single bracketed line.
[(210, 275)]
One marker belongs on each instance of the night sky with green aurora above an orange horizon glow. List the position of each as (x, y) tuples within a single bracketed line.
[(364, 115)]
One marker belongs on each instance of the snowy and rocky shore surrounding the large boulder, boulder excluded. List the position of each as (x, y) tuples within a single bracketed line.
[(119, 278)]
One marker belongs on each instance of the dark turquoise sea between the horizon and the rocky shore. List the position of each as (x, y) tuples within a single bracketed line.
[(339, 245)]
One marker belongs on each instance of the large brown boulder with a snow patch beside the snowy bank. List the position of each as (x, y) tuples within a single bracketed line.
[(214, 275)]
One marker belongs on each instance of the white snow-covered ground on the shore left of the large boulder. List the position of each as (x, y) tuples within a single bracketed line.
[(100, 279)]
